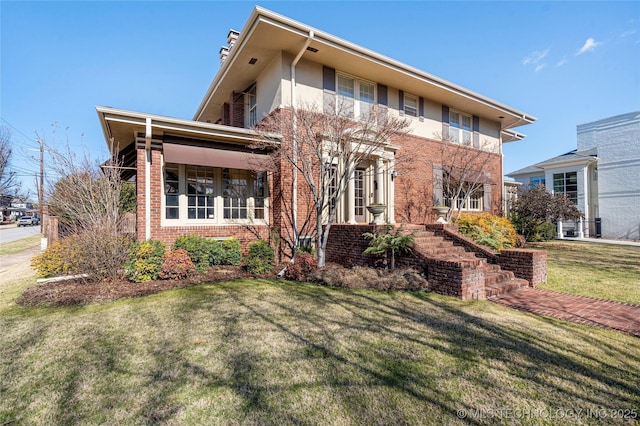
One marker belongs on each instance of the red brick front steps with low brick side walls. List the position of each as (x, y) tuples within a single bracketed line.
[(453, 264)]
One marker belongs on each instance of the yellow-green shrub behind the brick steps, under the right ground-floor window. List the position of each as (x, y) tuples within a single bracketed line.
[(493, 231)]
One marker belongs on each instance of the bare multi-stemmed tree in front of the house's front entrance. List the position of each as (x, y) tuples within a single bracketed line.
[(324, 147)]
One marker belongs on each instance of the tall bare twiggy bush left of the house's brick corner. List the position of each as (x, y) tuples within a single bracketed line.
[(87, 199)]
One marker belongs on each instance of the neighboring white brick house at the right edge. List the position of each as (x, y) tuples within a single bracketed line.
[(602, 176)]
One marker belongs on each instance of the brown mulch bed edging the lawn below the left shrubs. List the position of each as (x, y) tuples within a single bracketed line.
[(79, 292)]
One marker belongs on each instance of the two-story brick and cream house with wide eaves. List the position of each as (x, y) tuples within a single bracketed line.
[(202, 176)]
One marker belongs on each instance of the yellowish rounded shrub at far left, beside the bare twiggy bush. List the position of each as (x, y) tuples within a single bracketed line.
[(60, 258)]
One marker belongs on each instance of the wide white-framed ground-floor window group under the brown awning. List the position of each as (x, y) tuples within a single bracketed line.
[(212, 195)]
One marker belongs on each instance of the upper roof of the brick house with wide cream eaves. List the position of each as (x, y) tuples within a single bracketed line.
[(267, 33)]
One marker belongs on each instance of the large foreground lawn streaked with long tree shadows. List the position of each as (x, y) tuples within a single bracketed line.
[(262, 352)]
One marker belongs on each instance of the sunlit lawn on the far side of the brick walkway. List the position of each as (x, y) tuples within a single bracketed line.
[(605, 271)]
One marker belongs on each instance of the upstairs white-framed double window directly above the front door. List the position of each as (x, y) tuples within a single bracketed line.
[(356, 97)]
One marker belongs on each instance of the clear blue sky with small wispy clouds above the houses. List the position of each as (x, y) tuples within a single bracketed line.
[(567, 63)]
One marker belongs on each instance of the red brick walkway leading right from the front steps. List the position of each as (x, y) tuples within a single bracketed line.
[(619, 316)]
